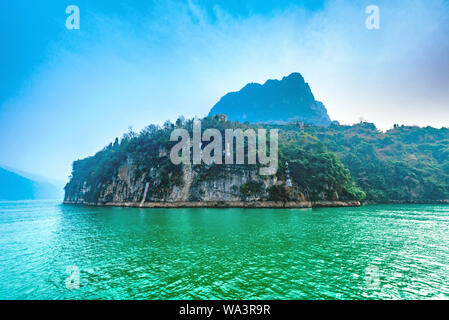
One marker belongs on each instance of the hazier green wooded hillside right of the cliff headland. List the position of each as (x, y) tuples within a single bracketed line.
[(402, 164)]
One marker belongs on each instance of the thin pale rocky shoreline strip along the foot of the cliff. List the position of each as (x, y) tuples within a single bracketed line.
[(224, 204)]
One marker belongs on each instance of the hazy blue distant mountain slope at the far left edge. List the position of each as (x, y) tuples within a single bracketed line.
[(17, 187)]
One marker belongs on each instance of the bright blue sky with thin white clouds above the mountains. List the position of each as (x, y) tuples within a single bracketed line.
[(65, 94)]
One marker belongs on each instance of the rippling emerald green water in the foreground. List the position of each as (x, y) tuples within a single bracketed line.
[(382, 251)]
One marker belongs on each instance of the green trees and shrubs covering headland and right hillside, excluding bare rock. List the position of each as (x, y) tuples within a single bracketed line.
[(359, 162)]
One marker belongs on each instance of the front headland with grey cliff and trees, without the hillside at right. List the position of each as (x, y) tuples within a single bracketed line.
[(137, 171)]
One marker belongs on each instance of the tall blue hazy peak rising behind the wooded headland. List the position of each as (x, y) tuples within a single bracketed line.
[(276, 101)]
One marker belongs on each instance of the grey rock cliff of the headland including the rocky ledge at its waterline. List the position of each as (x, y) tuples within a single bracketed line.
[(190, 186)]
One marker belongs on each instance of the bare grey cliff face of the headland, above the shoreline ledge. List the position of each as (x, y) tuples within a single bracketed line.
[(200, 183)]
